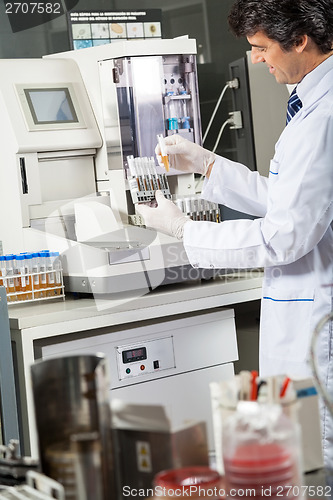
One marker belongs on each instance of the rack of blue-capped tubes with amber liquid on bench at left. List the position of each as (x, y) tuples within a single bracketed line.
[(31, 275)]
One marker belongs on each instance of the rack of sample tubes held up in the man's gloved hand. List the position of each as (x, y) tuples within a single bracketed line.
[(144, 180)]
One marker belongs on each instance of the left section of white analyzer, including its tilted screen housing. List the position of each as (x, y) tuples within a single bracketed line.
[(48, 140)]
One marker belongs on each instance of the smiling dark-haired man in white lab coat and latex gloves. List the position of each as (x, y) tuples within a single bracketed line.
[(292, 238)]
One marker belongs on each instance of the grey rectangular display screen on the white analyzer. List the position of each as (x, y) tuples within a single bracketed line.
[(51, 105)]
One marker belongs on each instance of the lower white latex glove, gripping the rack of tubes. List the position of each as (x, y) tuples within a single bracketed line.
[(166, 217)]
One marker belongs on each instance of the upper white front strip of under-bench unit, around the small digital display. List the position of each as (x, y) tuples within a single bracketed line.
[(198, 342)]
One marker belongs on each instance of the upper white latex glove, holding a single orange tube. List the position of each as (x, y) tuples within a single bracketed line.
[(185, 155)]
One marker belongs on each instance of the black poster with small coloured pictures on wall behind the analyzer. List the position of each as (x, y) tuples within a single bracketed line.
[(92, 28)]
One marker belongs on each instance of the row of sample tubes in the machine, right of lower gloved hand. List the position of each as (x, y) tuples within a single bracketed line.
[(198, 209)]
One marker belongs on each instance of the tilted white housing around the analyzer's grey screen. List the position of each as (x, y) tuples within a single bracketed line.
[(29, 90)]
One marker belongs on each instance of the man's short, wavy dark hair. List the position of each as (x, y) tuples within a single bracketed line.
[(285, 21)]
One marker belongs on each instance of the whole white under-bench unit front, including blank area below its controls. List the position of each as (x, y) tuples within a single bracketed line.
[(171, 362)]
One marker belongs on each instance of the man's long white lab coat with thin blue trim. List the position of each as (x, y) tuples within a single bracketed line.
[(292, 238)]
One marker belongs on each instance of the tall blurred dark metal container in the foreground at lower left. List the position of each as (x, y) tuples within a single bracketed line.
[(73, 420)]
